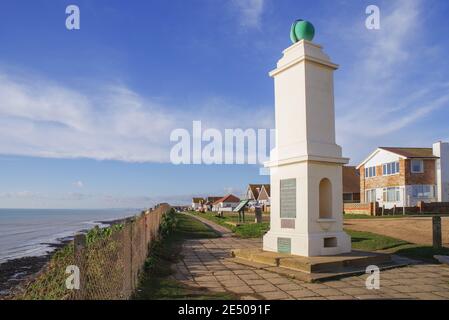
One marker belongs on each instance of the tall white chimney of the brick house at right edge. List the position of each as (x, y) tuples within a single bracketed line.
[(441, 150)]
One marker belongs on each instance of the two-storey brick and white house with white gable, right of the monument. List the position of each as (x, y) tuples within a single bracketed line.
[(404, 176)]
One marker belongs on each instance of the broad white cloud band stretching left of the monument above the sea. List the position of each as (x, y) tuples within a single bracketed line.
[(43, 119)]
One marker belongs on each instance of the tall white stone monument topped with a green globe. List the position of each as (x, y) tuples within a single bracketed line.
[(306, 165)]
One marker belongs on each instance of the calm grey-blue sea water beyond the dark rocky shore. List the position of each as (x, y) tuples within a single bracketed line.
[(28, 232)]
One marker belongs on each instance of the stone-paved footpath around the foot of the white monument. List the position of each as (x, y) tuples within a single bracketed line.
[(207, 264)]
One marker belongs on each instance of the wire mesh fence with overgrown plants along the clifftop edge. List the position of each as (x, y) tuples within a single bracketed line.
[(103, 265)]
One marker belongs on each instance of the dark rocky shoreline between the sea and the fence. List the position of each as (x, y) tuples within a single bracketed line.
[(15, 271)]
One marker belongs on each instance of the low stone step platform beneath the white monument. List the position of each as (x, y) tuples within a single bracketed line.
[(312, 269)]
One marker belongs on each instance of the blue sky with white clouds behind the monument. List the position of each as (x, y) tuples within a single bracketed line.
[(86, 115)]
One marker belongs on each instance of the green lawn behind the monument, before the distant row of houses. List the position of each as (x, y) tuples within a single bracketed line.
[(247, 230)]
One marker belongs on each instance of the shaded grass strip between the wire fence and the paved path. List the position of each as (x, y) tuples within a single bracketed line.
[(156, 284)]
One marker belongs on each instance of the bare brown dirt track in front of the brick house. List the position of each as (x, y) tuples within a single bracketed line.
[(414, 230)]
